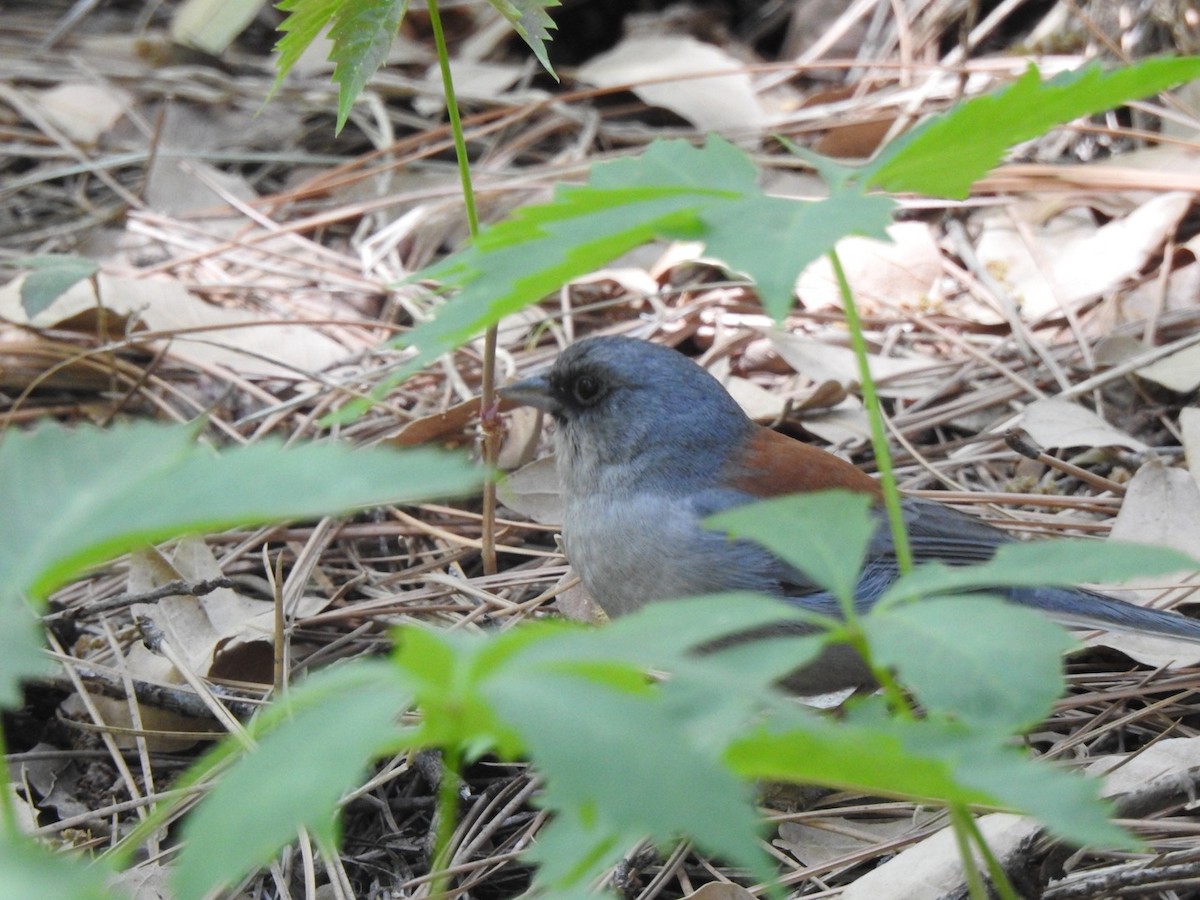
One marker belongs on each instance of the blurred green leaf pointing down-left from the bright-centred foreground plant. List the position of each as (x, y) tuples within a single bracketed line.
[(339, 722)]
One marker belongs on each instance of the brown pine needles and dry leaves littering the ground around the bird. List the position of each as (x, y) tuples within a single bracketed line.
[(251, 274)]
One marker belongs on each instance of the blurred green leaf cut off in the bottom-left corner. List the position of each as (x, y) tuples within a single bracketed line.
[(29, 869)]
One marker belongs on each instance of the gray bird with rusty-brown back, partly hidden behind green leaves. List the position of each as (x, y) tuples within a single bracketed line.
[(649, 445)]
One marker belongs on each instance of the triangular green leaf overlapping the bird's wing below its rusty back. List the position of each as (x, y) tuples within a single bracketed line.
[(824, 535)]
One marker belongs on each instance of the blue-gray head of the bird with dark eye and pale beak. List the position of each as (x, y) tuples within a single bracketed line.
[(633, 412)]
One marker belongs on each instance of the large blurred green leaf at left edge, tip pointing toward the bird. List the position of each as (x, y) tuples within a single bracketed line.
[(79, 497)]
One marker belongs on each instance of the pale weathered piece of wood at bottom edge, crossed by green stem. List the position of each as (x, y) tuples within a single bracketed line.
[(932, 869)]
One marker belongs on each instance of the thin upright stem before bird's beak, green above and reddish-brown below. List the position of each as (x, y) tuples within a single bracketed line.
[(489, 422)]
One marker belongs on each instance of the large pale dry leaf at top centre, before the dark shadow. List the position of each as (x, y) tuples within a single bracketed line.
[(724, 103)]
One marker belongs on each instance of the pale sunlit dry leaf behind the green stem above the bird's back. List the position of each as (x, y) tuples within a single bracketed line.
[(897, 274)]
